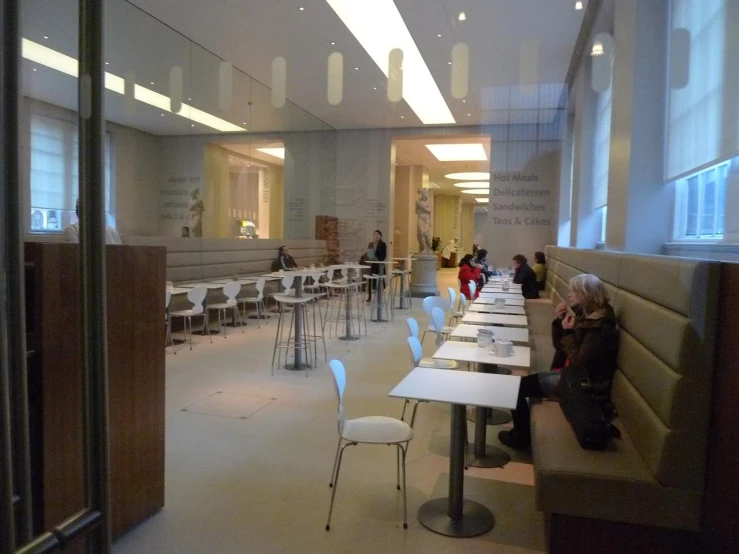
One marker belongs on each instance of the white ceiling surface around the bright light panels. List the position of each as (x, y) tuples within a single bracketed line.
[(251, 33)]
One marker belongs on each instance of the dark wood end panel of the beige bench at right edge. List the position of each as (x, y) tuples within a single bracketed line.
[(721, 506)]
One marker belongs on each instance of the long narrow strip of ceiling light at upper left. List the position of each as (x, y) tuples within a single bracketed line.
[(68, 65)]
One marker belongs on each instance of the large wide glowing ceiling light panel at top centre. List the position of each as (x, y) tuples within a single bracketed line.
[(379, 28)]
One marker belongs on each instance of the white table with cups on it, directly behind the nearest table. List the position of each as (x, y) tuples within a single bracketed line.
[(487, 362)]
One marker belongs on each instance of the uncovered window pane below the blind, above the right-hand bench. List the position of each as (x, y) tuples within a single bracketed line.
[(701, 203)]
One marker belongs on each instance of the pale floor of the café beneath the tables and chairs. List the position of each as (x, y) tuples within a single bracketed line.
[(248, 462)]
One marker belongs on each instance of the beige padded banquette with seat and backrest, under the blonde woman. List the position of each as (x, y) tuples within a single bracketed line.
[(645, 493)]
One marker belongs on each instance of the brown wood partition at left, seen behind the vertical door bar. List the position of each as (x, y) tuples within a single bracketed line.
[(136, 281)]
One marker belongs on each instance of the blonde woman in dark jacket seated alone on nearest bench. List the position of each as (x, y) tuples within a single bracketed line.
[(586, 337)]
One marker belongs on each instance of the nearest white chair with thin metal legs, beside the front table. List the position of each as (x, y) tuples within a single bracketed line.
[(367, 430)]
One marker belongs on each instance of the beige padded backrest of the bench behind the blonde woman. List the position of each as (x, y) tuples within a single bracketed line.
[(666, 308)]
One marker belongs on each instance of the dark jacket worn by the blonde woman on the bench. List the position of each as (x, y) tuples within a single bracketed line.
[(592, 344)]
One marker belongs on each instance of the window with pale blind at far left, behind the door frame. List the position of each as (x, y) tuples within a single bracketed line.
[(55, 174)]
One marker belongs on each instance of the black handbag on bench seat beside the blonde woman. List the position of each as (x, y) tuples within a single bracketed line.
[(585, 410)]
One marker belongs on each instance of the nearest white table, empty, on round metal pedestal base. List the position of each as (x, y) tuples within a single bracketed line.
[(454, 516)]
